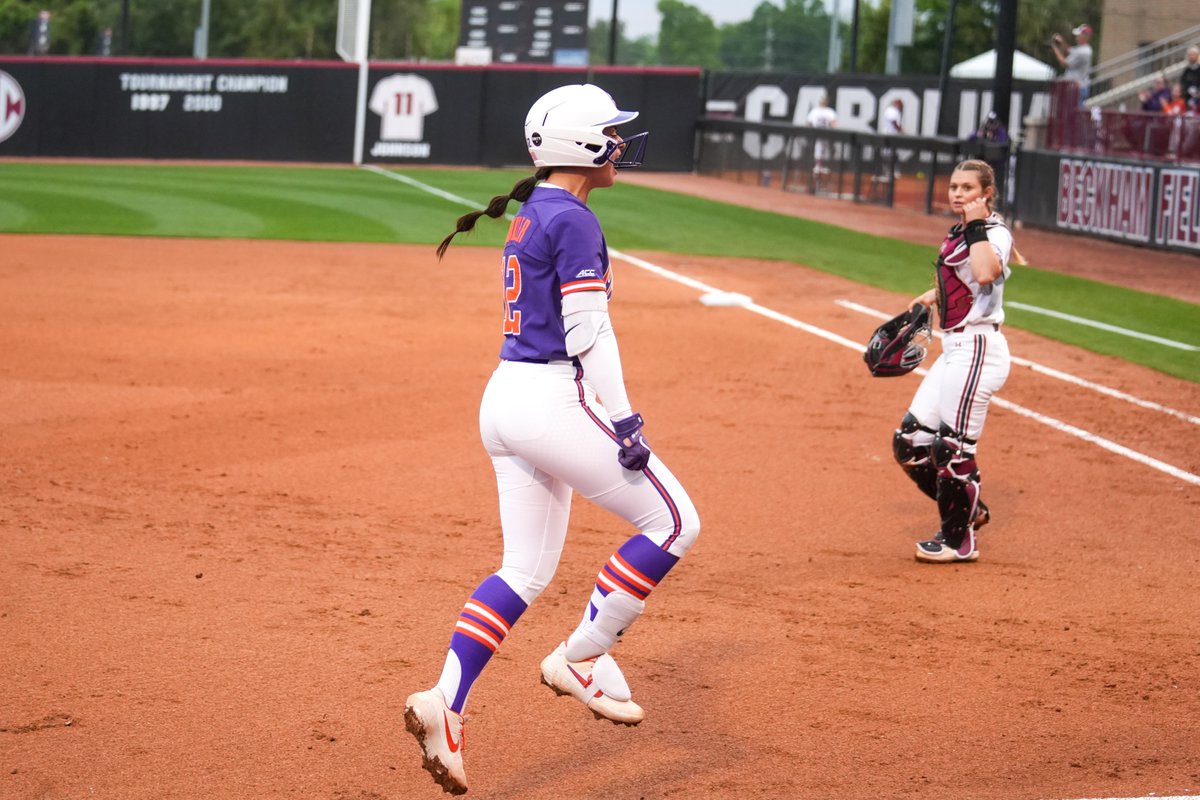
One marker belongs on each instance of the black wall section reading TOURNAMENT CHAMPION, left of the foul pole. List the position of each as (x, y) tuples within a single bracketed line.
[(181, 109)]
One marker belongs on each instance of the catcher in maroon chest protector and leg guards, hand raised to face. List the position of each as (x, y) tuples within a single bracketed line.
[(937, 441)]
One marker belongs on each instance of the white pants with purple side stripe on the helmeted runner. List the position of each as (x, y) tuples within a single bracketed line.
[(549, 437)]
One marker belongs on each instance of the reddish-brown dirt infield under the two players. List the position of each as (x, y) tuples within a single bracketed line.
[(245, 501)]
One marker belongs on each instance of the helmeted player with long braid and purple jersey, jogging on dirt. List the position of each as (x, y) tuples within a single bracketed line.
[(550, 435)]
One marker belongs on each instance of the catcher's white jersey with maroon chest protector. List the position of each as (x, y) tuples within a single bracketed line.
[(961, 298)]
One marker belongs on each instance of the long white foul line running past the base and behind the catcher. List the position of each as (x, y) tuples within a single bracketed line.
[(1175, 472)]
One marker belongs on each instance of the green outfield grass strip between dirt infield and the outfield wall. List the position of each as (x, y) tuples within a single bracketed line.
[(349, 204)]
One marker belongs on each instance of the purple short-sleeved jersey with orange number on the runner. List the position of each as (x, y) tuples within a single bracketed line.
[(555, 248)]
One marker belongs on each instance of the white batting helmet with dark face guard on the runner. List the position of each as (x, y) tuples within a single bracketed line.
[(566, 128)]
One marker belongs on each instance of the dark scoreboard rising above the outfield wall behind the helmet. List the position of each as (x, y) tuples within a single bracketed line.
[(526, 32)]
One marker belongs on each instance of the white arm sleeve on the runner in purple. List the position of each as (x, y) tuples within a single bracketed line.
[(590, 336)]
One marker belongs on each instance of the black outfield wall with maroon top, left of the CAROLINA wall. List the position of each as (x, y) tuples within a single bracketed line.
[(273, 111)]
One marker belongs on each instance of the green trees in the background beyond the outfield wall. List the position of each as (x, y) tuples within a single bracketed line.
[(779, 37)]
